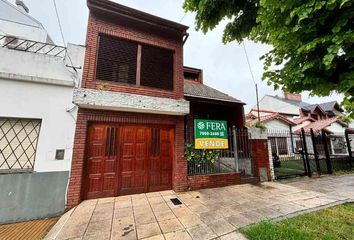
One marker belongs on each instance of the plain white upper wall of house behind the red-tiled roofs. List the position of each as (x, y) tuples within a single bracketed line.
[(275, 105)]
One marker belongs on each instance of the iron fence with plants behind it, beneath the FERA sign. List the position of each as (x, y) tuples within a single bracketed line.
[(236, 158)]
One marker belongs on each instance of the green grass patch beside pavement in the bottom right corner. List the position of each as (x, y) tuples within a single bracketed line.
[(327, 224)]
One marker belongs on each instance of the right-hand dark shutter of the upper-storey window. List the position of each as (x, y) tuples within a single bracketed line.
[(156, 67)]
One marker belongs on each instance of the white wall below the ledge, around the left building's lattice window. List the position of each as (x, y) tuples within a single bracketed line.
[(50, 104)]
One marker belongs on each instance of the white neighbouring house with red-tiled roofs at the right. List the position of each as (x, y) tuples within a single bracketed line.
[(290, 113)]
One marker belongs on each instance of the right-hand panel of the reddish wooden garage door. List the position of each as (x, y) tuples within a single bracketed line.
[(160, 159)]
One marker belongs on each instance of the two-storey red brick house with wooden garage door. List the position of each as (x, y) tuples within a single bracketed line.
[(137, 103)]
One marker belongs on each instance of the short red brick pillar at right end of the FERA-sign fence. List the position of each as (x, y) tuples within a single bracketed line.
[(260, 156)]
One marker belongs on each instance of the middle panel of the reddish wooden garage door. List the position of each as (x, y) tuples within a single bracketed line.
[(133, 160)]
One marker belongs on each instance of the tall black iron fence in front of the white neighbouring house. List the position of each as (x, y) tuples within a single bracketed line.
[(309, 153)]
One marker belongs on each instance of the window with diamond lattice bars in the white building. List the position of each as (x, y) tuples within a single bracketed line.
[(18, 143)]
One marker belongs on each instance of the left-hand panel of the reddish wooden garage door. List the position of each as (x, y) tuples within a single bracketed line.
[(101, 165)]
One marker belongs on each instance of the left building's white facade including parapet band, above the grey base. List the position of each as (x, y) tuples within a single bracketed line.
[(41, 87)]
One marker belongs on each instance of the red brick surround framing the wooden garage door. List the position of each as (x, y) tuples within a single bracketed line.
[(85, 116)]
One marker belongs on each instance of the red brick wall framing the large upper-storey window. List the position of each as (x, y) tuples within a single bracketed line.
[(97, 25)]
